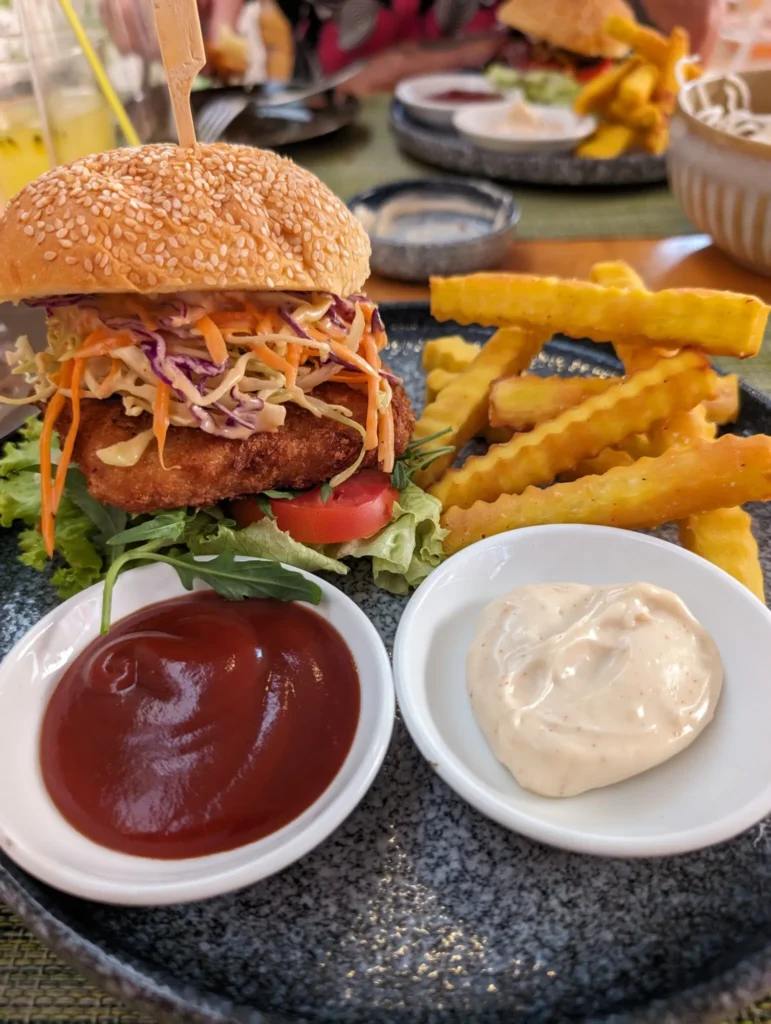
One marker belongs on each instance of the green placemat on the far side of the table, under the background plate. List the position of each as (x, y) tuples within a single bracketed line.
[(367, 155)]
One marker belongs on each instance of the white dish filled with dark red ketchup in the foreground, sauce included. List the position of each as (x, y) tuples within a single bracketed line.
[(200, 747)]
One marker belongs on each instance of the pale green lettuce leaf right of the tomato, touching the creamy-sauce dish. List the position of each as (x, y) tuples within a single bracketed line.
[(405, 551)]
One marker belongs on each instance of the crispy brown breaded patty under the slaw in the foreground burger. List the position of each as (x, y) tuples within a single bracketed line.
[(307, 451)]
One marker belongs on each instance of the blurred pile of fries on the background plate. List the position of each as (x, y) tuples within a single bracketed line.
[(635, 100)]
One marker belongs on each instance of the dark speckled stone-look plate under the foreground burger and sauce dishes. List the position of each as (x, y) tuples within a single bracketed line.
[(418, 909)]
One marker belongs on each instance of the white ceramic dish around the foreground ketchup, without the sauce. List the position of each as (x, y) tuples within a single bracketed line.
[(39, 840)]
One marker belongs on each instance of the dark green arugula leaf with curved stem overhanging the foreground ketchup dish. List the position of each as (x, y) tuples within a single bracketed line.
[(234, 580)]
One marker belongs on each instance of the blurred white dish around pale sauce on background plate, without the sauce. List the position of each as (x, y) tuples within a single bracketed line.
[(479, 123)]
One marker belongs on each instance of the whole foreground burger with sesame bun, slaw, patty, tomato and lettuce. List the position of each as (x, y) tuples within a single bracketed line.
[(211, 362)]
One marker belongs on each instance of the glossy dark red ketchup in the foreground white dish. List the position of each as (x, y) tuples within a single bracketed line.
[(199, 726)]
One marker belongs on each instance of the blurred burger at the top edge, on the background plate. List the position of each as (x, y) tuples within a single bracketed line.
[(564, 35)]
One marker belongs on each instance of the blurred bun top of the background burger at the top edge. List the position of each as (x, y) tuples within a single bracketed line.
[(569, 24)]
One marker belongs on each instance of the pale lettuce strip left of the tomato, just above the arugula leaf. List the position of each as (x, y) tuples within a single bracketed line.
[(265, 540)]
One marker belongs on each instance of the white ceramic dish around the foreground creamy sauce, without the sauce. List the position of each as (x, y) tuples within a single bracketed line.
[(717, 788)]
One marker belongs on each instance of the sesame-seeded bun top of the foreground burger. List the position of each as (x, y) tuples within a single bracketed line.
[(162, 219)]
